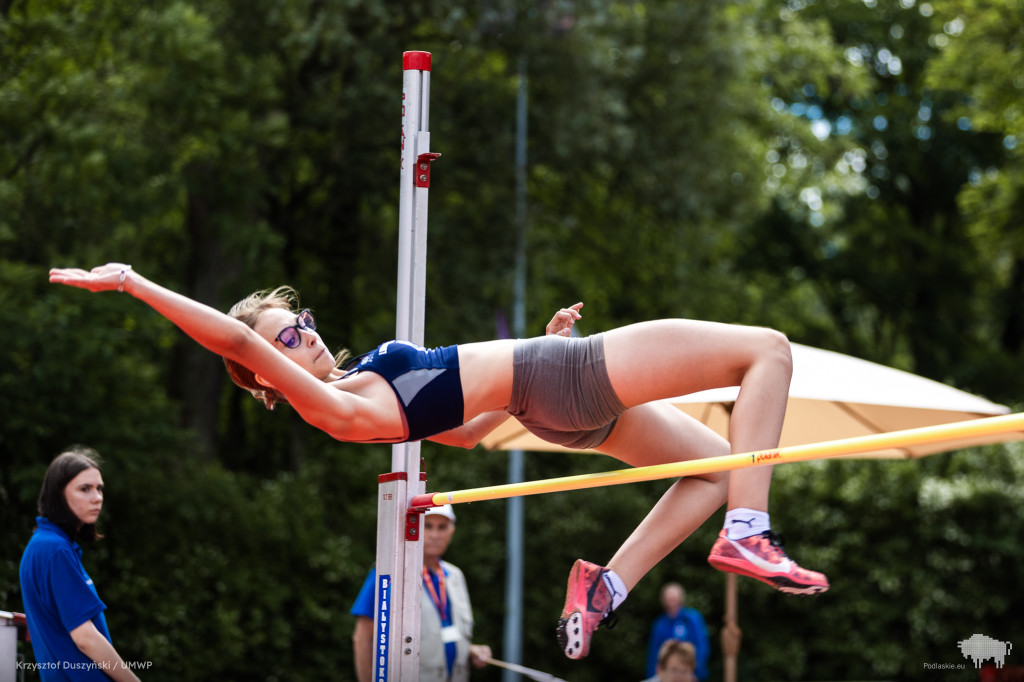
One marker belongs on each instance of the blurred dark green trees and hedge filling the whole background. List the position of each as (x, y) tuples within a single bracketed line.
[(848, 173)]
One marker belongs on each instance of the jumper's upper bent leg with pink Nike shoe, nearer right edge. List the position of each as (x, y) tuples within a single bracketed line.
[(668, 358)]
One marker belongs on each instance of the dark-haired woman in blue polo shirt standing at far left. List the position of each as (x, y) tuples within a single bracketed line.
[(65, 613)]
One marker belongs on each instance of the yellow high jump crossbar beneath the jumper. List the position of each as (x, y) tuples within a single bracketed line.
[(818, 451)]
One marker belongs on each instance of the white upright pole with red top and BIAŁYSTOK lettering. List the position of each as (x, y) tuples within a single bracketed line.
[(400, 553)]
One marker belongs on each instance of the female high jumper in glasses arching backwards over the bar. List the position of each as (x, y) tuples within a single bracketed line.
[(598, 393)]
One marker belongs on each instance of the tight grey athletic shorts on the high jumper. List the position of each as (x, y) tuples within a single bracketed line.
[(562, 392)]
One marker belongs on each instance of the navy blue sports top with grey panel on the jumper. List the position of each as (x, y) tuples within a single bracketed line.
[(425, 380)]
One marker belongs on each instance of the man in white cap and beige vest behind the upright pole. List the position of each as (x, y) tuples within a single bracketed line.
[(446, 613)]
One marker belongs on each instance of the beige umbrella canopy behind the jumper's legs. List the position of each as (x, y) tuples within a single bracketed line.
[(832, 397)]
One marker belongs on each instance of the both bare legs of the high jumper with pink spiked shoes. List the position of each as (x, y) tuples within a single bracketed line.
[(662, 360)]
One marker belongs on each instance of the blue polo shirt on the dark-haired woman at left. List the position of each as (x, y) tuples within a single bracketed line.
[(59, 596)]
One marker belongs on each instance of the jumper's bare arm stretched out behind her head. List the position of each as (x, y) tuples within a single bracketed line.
[(330, 410)]
